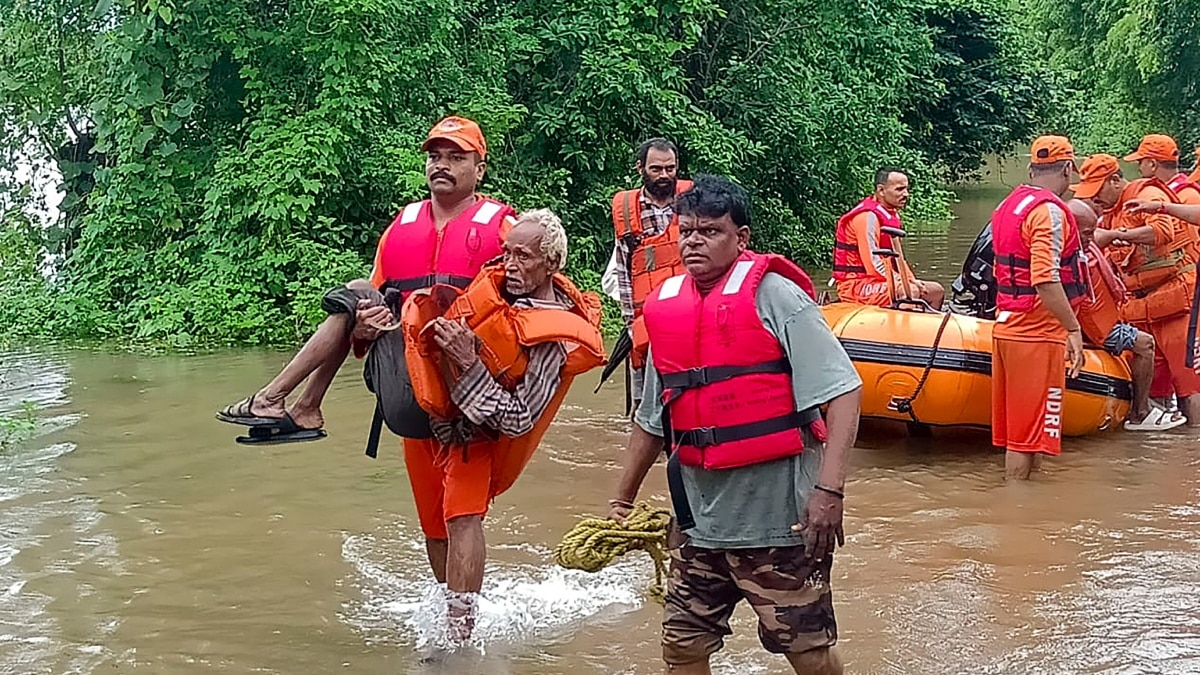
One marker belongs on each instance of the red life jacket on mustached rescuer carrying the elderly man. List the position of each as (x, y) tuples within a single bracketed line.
[(413, 255)]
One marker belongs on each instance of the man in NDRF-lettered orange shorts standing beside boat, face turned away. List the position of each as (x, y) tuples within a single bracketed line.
[(1041, 279)]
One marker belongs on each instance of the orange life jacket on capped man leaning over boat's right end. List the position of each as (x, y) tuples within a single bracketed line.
[(1157, 277)]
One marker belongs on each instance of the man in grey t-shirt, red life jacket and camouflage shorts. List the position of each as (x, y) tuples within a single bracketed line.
[(745, 360)]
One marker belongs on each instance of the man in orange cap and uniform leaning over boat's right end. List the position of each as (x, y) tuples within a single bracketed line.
[(1156, 255)]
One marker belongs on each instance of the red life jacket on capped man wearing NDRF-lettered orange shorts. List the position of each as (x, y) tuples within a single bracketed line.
[(1015, 286)]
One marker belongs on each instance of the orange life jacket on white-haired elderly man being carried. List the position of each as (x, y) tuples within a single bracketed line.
[(506, 333)]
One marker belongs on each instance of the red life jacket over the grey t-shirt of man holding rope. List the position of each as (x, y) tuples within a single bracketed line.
[(728, 385)]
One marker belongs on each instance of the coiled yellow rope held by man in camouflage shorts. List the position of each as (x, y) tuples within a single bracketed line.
[(595, 543)]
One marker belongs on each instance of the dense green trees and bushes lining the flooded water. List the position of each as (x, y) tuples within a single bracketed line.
[(227, 162)]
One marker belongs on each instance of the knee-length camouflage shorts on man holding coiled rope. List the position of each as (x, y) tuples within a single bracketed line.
[(790, 594)]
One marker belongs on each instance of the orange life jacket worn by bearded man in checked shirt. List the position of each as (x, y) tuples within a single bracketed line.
[(652, 260)]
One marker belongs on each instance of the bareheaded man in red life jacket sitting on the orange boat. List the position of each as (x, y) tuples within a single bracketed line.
[(857, 237)]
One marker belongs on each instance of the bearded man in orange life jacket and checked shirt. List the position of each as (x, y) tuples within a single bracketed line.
[(646, 250)]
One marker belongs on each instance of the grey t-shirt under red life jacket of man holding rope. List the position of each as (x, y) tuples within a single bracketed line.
[(757, 506)]
